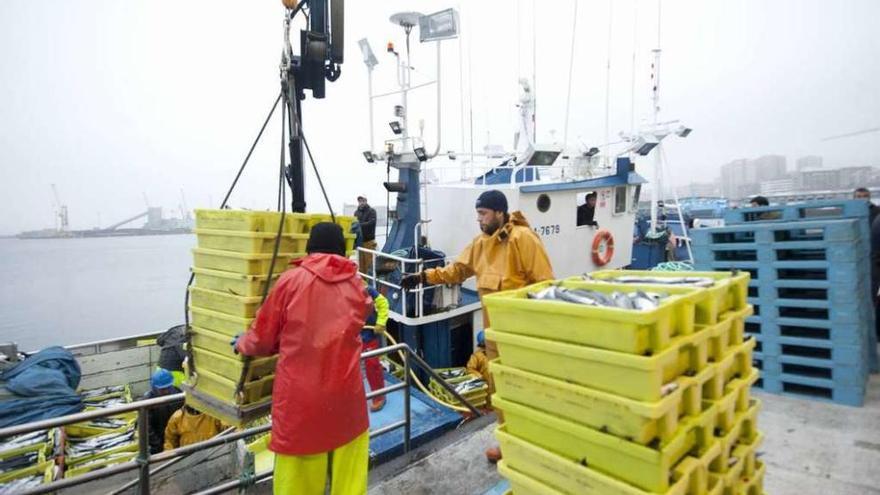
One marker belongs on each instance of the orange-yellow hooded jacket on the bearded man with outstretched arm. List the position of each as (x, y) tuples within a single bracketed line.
[(511, 258)]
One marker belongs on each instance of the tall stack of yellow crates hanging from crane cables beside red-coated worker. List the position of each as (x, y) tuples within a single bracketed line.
[(231, 267)]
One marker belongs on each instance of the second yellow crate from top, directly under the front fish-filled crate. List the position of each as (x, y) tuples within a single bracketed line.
[(637, 377)]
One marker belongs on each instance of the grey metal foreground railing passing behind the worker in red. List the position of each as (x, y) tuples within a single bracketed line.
[(144, 459)]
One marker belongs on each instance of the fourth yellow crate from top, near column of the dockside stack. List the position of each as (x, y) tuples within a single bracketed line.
[(642, 466)]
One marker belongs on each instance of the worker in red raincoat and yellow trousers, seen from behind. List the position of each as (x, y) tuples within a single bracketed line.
[(312, 318)]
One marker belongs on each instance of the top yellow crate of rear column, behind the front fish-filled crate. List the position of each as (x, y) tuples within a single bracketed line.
[(729, 293)]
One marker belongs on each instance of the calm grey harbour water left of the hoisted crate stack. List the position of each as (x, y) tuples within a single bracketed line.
[(68, 291)]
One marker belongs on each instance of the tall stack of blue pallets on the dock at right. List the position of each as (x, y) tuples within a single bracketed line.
[(811, 290)]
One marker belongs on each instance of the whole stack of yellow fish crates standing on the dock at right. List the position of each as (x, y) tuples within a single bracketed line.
[(618, 401)]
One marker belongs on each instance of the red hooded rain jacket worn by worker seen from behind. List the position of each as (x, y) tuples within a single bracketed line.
[(312, 319)]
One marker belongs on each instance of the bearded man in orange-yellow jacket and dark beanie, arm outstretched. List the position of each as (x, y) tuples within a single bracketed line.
[(506, 255)]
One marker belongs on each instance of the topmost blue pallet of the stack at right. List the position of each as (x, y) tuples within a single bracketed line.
[(810, 210)]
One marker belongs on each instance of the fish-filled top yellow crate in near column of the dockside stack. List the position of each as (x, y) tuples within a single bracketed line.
[(616, 329)]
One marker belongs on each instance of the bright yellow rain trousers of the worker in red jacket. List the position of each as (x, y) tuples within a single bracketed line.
[(345, 468)]
